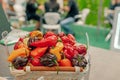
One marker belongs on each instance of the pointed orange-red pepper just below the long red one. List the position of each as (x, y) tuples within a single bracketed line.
[(38, 52)]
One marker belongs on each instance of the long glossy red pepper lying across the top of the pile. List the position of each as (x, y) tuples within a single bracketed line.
[(45, 42)]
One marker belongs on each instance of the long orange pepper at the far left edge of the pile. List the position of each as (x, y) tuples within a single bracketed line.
[(18, 52)]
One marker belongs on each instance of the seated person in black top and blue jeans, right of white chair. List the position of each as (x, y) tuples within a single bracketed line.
[(72, 11)]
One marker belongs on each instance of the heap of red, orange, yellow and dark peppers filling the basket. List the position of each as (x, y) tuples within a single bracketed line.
[(48, 49)]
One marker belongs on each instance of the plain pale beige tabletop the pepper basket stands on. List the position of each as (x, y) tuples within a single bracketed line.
[(105, 64)]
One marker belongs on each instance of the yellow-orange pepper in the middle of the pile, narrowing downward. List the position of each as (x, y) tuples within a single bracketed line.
[(56, 50)]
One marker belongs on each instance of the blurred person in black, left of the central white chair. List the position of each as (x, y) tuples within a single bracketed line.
[(31, 9)]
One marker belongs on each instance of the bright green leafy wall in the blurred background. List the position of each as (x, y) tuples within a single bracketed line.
[(93, 5)]
